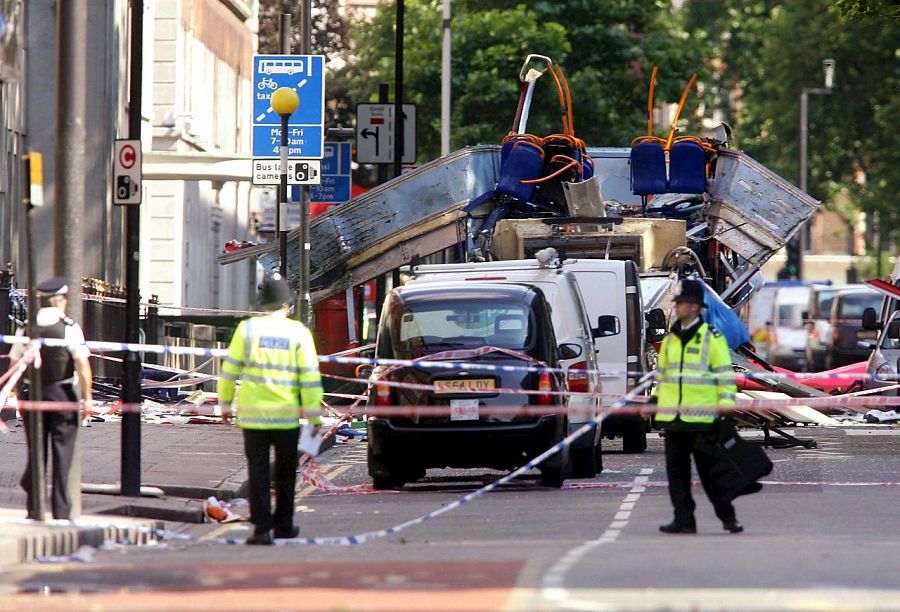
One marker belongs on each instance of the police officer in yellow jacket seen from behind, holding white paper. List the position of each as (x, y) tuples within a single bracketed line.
[(274, 359)]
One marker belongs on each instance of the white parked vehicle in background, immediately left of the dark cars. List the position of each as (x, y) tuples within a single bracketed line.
[(787, 335)]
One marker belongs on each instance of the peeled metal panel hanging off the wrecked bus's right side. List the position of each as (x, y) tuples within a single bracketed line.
[(754, 211)]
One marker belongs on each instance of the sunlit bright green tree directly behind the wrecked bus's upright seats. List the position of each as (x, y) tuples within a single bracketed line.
[(606, 48)]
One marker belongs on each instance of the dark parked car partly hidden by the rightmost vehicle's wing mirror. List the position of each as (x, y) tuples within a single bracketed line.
[(842, 344)]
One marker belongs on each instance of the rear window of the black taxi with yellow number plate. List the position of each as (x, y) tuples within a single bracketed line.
[(425, 327)]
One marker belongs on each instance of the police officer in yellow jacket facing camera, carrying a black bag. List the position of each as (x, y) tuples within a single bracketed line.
[(695, 369)]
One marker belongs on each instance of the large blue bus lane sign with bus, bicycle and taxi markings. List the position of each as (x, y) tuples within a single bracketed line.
[(306, 131)]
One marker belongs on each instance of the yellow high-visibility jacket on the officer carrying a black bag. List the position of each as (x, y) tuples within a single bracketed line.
[(697, 374)]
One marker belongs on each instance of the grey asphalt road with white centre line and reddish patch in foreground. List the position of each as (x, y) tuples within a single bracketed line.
[(823, 535)]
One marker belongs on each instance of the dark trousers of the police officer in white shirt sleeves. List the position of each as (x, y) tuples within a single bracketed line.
[(61, 431)]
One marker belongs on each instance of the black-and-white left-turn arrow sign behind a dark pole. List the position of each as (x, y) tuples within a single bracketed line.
[(375, 133)]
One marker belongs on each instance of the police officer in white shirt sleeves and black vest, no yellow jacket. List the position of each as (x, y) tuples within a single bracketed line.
[(65, 377)]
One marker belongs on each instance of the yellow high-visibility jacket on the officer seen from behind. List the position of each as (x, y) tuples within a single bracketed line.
[(274, 358)]
